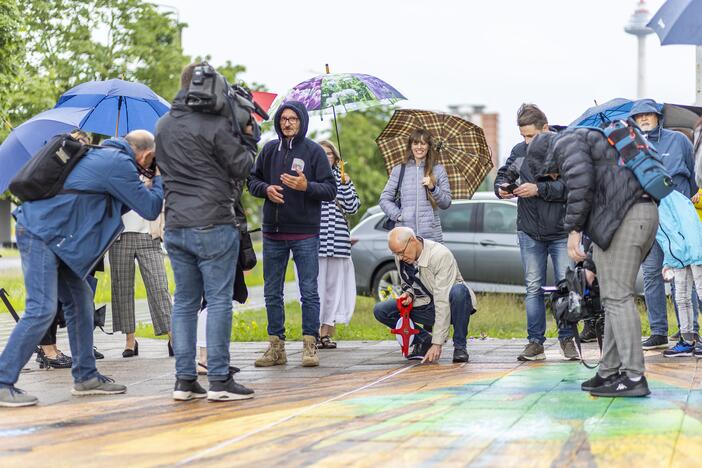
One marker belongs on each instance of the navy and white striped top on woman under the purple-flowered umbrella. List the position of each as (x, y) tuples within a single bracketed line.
[(334, 237)]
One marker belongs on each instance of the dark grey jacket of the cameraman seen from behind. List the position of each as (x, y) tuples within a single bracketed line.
[(203, 163)]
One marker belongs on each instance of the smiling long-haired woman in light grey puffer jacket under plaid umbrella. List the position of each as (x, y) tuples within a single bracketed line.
[(424, 188)]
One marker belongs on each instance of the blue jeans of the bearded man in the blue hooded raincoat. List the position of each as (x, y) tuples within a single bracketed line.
[(654, 291)]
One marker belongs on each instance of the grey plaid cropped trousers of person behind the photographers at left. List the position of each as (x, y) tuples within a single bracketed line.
[(147, 252)]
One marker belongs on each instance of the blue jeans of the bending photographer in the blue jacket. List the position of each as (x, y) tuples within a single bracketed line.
[(47, 281)]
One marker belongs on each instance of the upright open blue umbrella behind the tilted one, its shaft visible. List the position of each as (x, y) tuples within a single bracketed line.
[(118, 106)]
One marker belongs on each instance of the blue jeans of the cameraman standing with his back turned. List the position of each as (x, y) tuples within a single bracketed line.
[(204, 262)]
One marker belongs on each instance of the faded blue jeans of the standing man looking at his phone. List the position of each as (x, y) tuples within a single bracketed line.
[(534, 259)]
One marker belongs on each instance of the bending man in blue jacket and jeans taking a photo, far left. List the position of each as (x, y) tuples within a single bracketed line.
[(60, 239)]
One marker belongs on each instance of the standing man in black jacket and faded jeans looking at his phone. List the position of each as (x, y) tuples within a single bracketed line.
[(540, 217)]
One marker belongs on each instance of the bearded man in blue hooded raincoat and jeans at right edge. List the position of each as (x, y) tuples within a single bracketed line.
[(676, 153)]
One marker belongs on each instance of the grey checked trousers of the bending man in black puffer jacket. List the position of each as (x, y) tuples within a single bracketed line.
[(617, 268)]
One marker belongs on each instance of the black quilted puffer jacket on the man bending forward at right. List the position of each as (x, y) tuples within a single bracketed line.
[(600, 192)]
